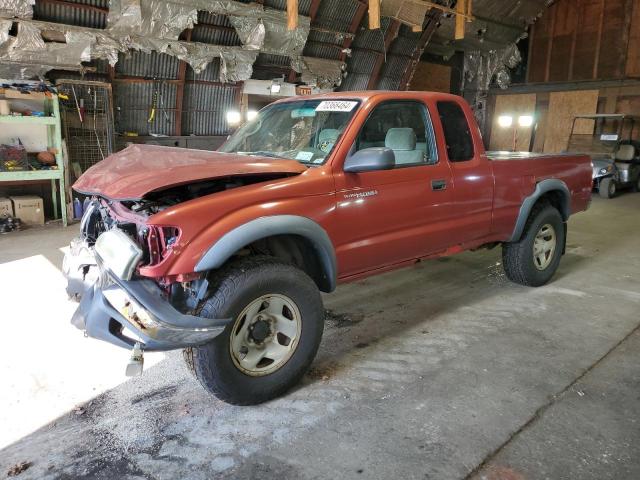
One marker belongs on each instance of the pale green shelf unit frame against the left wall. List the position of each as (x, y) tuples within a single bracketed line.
[(54, 139)]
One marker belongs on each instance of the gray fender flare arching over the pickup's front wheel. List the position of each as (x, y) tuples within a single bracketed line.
[(264, 227)]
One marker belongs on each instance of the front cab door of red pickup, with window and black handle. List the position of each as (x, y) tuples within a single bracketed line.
[(387, 217)]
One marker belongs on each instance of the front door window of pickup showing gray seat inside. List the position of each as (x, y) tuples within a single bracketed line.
[(403, 127)]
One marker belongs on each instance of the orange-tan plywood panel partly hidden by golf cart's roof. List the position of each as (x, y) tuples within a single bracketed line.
[(563, 107)]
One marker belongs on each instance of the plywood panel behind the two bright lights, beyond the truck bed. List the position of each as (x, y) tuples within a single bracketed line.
[(513, 105)]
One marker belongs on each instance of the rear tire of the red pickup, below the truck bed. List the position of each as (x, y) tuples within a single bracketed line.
[(519, 261)]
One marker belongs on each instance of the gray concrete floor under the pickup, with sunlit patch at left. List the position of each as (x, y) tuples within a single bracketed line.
[(443, 371)]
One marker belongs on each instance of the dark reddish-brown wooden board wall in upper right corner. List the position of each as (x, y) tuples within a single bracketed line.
[(586, 40)]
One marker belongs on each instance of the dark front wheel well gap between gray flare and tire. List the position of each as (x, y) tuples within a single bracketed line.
[(294, 249)]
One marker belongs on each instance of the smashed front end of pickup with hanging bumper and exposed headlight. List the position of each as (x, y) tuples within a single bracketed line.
[(117, 304)]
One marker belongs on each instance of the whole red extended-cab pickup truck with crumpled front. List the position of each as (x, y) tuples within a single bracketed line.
[(224, 254)]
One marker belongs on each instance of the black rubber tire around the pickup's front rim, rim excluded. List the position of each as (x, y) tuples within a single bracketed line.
[(235, 289)]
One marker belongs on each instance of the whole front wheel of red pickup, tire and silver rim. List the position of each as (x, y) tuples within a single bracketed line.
[(278, 320)]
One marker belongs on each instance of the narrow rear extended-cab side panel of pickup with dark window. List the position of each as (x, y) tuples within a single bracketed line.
[(471, 172)]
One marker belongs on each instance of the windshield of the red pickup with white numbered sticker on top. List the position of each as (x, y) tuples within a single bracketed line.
[(305, 130)]
